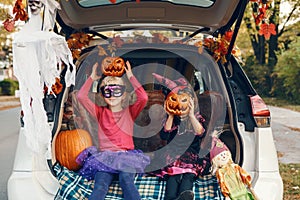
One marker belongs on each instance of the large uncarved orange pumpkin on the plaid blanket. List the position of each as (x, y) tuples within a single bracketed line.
[(69, 144)]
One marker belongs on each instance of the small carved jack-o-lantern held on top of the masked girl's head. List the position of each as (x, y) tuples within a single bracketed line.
[(113, 66)]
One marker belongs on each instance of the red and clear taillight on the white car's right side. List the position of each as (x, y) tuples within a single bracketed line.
[(261, 112)]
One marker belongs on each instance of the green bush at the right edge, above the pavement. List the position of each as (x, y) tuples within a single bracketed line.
[(287, 73)]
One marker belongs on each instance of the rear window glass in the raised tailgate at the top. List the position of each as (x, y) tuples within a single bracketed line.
[(199, 3)]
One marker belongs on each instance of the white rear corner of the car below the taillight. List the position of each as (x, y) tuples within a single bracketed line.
[(262, 163)]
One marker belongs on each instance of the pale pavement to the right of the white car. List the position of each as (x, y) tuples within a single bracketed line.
[(286, 132)]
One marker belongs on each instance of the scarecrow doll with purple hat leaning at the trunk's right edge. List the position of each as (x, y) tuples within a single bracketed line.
[(234, 181)]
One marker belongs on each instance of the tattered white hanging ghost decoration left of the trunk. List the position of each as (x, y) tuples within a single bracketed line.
[(38, 57)]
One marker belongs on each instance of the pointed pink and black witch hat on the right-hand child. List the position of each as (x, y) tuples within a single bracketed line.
[(174, 86)]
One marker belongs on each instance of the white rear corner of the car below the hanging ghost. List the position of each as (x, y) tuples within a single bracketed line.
[(31, 177)]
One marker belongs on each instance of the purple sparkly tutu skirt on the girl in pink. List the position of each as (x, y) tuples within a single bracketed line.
[(92, 161)]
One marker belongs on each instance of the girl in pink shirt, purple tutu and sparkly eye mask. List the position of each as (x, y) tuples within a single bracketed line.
[(116, 154)]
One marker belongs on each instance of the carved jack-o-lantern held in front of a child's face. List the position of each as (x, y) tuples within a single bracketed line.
[(177, 104)]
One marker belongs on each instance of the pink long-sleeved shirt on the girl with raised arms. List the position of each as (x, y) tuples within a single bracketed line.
[(115, 129)]
